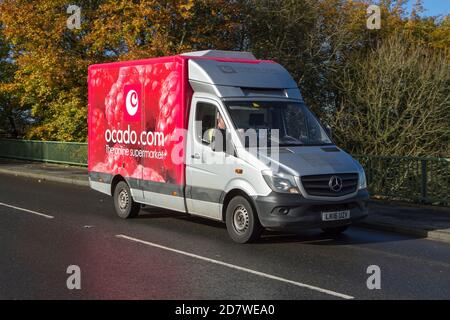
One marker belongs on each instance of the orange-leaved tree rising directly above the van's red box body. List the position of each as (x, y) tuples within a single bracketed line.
[(130, 30)]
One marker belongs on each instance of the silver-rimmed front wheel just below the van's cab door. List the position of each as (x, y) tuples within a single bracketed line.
[(242, 221)]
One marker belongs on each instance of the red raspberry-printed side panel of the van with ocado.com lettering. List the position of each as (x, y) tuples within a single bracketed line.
[(158, 87)]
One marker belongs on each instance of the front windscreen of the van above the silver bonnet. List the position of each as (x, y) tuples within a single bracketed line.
[(296, 125)]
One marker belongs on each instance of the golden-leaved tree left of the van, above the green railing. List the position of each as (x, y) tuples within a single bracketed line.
[(50, 61)]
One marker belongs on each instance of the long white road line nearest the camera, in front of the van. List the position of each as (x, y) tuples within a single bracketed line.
[(229, 265)]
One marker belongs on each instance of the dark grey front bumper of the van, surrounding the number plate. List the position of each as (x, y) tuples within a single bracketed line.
[(281, 211)]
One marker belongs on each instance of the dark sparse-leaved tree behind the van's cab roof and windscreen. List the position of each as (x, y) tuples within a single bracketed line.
[(312, 39)]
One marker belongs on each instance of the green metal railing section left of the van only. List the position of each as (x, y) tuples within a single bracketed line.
[(72, 153)]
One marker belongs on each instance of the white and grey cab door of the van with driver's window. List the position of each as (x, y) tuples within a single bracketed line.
[(209, 168)]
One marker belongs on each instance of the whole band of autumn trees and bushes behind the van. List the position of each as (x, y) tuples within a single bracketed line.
[(325, 44)]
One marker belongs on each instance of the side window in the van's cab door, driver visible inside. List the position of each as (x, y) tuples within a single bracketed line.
[(205, 118)]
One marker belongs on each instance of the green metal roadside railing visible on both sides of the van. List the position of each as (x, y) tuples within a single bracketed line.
[(424, 180)]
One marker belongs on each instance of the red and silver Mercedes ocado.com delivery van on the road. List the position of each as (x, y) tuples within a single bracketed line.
[(220, 135)]
